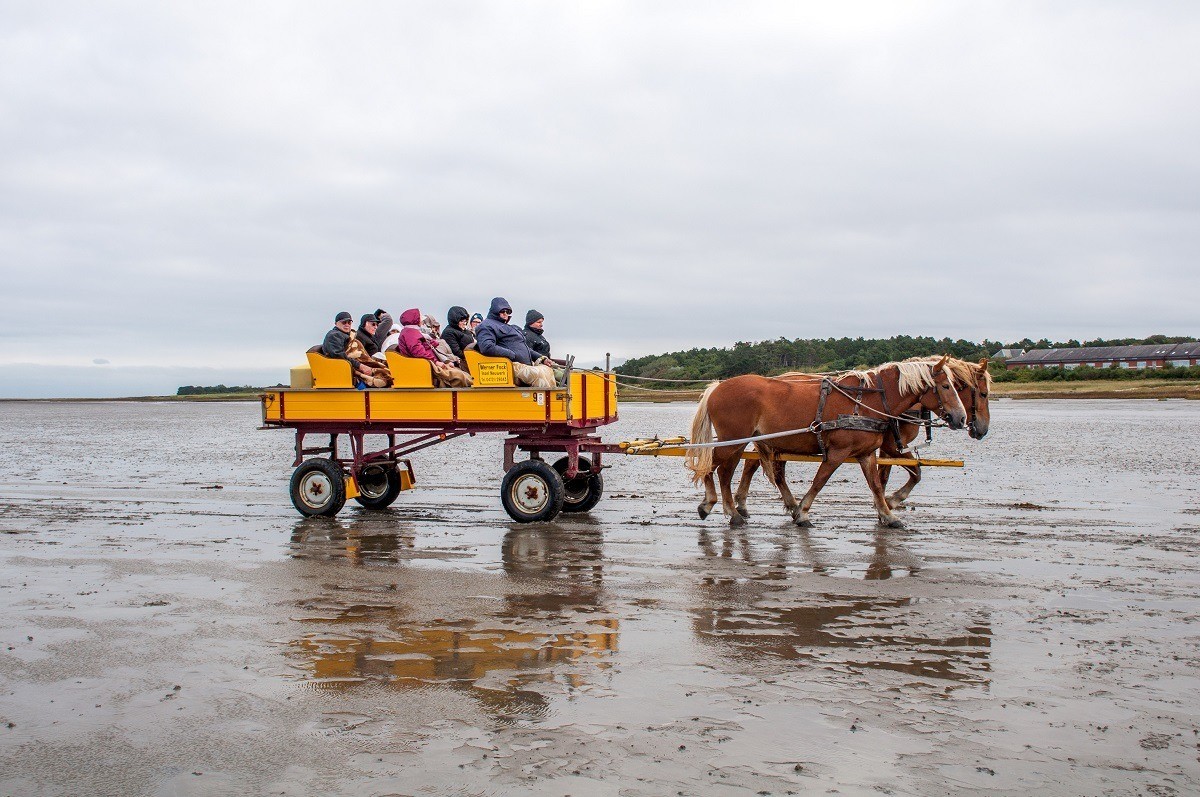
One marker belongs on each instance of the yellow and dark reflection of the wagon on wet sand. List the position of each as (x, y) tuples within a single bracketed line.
[(507, 660)]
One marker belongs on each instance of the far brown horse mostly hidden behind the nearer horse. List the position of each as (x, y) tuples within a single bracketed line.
[(974, 385)]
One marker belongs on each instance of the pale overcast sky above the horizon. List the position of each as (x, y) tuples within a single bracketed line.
[(189, 193)]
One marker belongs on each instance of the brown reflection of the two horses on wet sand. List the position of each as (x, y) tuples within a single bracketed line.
[(758, 616)]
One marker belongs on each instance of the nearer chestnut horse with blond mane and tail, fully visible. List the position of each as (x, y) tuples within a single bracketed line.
[(753, 406)]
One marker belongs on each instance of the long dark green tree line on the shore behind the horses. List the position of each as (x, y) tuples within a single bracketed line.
[(772, 358)]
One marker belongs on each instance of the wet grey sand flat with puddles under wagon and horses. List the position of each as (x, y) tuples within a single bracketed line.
[(171, 626)]
